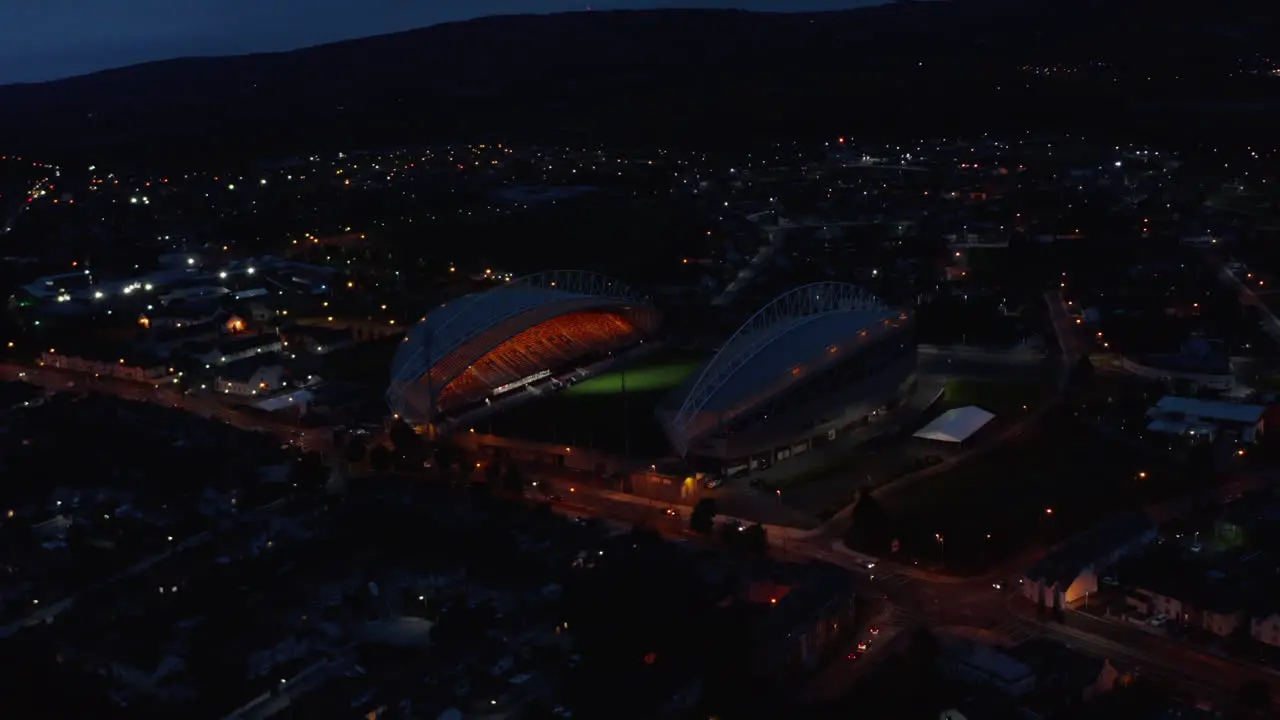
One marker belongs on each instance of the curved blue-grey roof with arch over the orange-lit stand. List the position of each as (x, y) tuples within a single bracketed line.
[(459, 334)]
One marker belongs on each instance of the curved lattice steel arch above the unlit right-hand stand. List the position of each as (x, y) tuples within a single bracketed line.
[(788, 312)]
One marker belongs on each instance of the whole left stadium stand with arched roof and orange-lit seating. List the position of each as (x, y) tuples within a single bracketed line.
[(484, 345)]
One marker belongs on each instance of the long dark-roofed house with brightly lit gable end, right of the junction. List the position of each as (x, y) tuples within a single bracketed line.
[(1069, 572)]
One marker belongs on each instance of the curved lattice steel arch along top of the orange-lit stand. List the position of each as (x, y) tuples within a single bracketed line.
[(477, 315)]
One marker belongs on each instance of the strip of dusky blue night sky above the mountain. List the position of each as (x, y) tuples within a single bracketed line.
[(53, 39)]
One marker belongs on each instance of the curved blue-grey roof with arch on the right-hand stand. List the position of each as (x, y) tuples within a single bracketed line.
[(790, 331)]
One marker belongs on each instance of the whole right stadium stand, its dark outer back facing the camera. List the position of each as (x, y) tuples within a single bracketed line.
[(817, 363)]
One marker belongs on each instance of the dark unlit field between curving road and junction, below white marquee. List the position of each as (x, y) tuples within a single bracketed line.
[(1049, 485)]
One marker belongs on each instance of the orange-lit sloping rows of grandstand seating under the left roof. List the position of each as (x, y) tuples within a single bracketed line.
[(548, 347)]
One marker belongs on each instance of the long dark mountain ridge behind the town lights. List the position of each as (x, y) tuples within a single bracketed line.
[(637, 74)]
